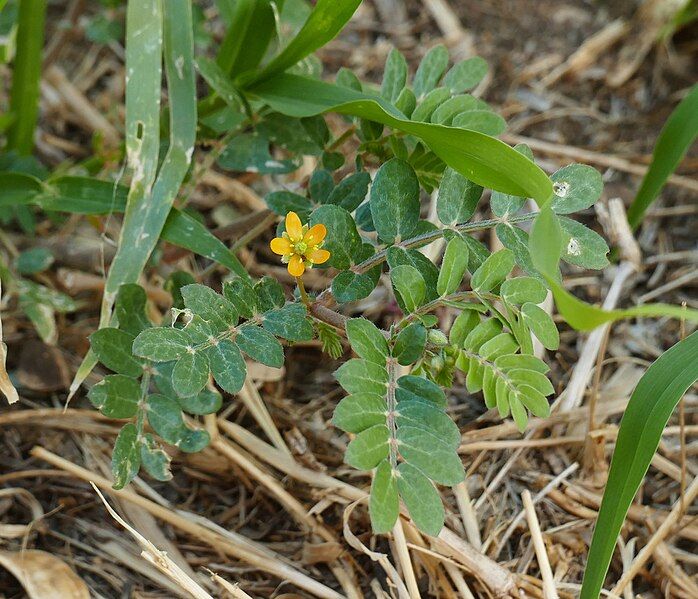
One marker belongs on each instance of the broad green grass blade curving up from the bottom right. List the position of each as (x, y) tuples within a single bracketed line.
[(648, 412)]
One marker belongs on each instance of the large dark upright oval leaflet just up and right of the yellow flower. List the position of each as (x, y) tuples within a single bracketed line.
[(394, 201)]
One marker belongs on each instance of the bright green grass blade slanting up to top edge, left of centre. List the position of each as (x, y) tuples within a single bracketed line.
[(325, 21)]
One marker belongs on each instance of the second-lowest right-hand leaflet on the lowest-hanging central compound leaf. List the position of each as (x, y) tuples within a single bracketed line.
[(432, 455)]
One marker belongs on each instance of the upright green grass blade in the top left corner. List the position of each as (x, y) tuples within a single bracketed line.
[(26, 73)]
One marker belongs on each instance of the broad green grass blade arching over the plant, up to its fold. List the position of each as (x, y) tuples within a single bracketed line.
[(479, 157)]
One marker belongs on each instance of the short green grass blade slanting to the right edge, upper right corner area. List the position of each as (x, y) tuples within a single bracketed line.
[(674, 140)]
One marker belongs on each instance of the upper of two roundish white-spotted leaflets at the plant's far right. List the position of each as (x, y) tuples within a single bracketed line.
[(576, 187)]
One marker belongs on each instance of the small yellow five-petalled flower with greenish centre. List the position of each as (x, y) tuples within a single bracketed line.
[(299, 246)]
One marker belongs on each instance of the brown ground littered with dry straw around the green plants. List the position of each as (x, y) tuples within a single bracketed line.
[(248, 489)]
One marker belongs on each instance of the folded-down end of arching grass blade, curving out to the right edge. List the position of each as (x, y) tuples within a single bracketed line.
[(545, 244)]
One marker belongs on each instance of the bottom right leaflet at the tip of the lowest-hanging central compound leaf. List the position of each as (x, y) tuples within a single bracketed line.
[(421, 499)]
